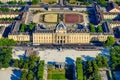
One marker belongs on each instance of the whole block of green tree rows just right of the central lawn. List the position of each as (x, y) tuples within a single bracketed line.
[(90, 69)]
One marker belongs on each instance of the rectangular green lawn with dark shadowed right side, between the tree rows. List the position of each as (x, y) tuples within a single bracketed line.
[(65, 73)]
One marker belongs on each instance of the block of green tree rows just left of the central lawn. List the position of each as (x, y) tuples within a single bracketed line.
[(33, 68)]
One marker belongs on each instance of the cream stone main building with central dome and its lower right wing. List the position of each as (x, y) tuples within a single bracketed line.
[(63, 35)]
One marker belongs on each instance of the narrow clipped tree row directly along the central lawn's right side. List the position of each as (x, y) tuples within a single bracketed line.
[(79, 69)]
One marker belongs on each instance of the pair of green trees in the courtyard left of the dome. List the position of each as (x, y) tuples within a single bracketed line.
[(25, 27)]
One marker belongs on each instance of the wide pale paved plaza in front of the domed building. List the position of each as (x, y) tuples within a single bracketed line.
[(61, 56)]
